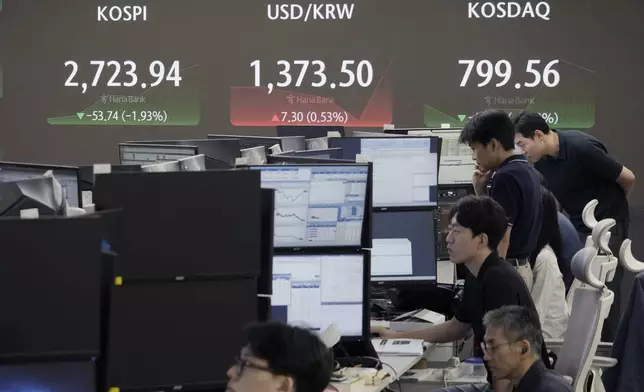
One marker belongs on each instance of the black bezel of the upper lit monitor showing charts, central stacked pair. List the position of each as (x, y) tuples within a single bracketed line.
[(365, 240)]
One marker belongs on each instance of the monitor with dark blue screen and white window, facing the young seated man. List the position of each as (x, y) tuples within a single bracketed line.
[(404, 246)]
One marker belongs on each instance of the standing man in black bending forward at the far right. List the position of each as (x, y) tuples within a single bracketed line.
[(578, 169)]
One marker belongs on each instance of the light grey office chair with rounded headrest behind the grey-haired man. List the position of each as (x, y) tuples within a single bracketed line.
[(577, 359)]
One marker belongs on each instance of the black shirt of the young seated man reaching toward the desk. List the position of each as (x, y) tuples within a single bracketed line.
[(497, 284)]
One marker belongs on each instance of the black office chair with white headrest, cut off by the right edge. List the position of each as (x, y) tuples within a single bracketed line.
[(626, 376)]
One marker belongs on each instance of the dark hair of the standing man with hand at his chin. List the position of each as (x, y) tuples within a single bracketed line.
[(488, 125)]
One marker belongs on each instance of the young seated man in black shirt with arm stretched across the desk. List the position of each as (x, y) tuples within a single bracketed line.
[(478, 224)]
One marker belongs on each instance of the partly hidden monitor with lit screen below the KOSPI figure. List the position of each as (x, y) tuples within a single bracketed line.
[(149, 154)]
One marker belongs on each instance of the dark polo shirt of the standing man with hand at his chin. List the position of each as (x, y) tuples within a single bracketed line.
[(516, 186)]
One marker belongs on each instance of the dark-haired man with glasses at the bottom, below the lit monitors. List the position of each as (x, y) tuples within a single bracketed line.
[(282, 358)]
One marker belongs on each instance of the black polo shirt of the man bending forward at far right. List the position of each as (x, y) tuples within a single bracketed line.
[(583, 171)]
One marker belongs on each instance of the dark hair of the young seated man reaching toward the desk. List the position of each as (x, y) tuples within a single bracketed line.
[(481, 214)]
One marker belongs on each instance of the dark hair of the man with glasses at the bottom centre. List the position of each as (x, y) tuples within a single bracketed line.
[(292, 351)]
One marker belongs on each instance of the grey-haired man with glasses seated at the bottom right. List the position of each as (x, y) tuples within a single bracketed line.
[(512, 347)]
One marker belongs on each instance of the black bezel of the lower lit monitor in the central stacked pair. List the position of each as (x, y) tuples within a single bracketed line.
[(366, 286)]
